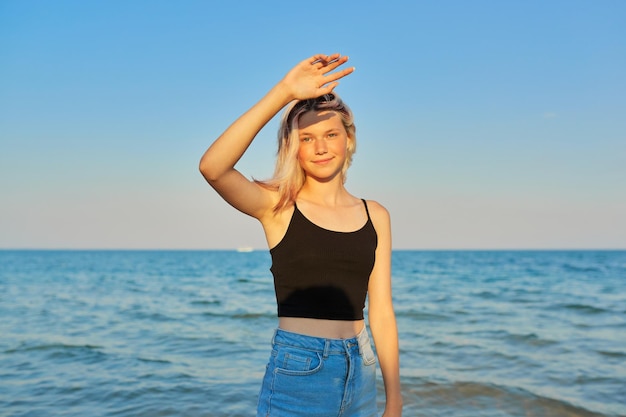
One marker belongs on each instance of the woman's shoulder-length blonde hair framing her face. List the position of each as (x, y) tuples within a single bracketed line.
[(288, 174)]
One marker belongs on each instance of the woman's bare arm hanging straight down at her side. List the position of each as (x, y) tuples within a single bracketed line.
[(382, 318)]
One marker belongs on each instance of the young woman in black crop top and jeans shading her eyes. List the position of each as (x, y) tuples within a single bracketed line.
[(329, 250)]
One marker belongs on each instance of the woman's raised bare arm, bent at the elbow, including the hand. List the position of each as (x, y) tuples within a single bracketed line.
[(310, 78)]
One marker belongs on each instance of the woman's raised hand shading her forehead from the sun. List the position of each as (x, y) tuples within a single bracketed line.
[(311, 78)]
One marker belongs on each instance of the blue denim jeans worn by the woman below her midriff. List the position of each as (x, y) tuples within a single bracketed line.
[(317, 377)]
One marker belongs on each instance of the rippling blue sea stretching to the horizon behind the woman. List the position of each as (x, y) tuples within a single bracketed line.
[(187, 333)]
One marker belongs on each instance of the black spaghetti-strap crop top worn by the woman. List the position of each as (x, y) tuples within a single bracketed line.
[(320, 273)]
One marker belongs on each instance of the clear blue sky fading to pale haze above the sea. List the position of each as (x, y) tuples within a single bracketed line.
[(481, 125)]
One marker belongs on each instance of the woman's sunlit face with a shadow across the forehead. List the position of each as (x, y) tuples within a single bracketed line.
[(323, 144)]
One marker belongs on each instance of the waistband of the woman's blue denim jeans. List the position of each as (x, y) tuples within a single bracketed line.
[(319, 344)]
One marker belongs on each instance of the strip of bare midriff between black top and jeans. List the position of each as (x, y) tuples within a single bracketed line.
[(328, 329)]
